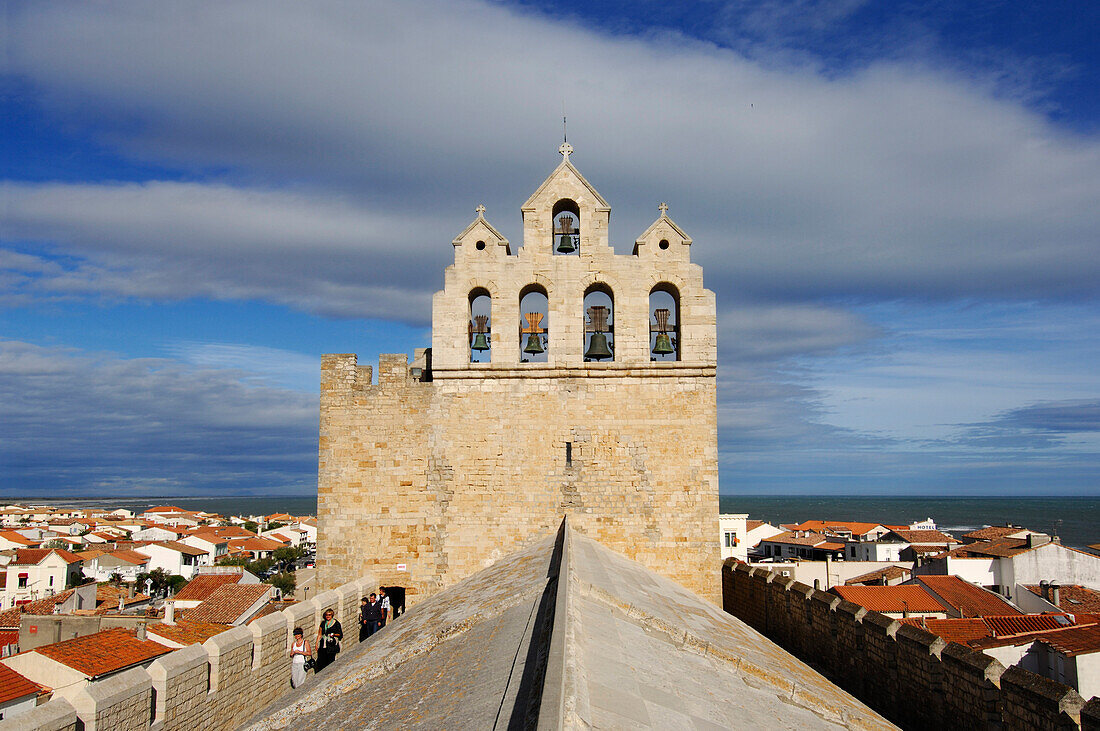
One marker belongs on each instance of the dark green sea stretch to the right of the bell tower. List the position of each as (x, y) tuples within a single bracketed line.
[(1076, 520)]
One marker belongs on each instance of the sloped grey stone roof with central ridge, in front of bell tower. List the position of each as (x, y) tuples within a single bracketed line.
[(567, 635)]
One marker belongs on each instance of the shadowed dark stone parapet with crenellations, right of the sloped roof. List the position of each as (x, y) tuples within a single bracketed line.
[(910, 675)]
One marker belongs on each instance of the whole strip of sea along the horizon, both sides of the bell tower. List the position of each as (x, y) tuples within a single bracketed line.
[(1074, 519)]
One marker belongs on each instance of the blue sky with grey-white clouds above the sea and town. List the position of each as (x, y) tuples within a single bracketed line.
[(897, 204)]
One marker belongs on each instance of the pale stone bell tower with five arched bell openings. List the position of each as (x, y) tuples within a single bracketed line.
[(563, 380)]
